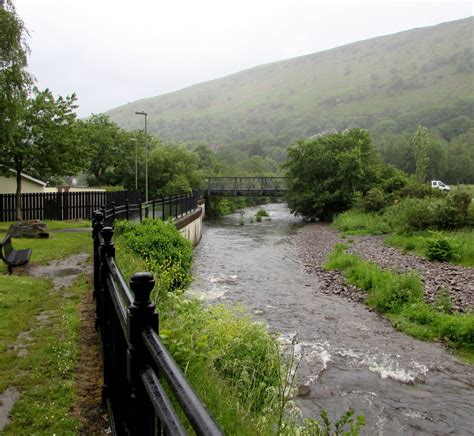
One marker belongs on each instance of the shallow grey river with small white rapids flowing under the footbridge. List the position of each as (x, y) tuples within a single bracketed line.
[(350, 357)]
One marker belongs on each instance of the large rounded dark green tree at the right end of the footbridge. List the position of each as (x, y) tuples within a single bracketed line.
[(325, 173)]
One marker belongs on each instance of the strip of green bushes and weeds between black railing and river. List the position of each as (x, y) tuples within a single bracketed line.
[(219, 349)]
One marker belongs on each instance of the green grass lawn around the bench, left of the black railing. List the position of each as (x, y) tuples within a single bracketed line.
[(38, 338)]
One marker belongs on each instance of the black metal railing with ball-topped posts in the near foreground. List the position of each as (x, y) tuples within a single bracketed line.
[(134, 357)]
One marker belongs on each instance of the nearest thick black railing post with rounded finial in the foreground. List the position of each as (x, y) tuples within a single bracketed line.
[(142, 315)]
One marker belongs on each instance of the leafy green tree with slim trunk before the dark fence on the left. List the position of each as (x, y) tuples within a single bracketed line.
[(43, 141)]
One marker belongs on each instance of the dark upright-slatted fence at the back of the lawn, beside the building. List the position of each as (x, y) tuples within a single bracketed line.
[(61, 205)]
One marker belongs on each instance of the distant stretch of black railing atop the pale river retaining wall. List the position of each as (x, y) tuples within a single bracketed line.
[(164, 208)]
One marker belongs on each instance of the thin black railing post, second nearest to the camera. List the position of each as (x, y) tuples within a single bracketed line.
[(105, 305)]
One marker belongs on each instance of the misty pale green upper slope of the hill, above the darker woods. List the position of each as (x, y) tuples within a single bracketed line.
[(386, 84)]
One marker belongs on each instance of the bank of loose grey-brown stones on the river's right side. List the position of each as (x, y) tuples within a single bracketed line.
[(316, 241)]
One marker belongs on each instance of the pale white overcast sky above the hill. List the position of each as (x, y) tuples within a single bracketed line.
[(110, 52)]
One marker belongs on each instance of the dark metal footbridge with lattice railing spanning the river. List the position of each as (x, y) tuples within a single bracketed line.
[(246, 185)]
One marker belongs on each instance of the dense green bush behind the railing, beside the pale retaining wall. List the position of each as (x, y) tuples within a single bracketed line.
[(165, 252)]
